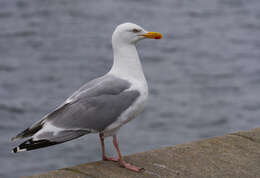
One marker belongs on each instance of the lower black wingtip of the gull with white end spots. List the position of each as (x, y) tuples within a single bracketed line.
[(30, 144)]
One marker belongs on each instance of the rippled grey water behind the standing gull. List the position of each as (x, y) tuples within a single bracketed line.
[(204, 76)]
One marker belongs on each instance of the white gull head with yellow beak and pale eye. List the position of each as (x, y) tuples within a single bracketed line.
[(129, 33)]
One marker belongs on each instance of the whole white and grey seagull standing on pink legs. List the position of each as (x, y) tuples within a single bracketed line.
[(103, 105)]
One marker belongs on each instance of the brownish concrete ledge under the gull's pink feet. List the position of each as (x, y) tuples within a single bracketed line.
[(232, 155)]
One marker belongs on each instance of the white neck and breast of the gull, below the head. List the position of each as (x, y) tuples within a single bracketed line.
[(127, 66)]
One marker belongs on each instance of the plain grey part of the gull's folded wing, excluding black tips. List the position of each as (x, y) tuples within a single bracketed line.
[(94, 106)]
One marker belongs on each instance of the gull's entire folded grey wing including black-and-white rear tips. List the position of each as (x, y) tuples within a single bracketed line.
[(93, 107)]
